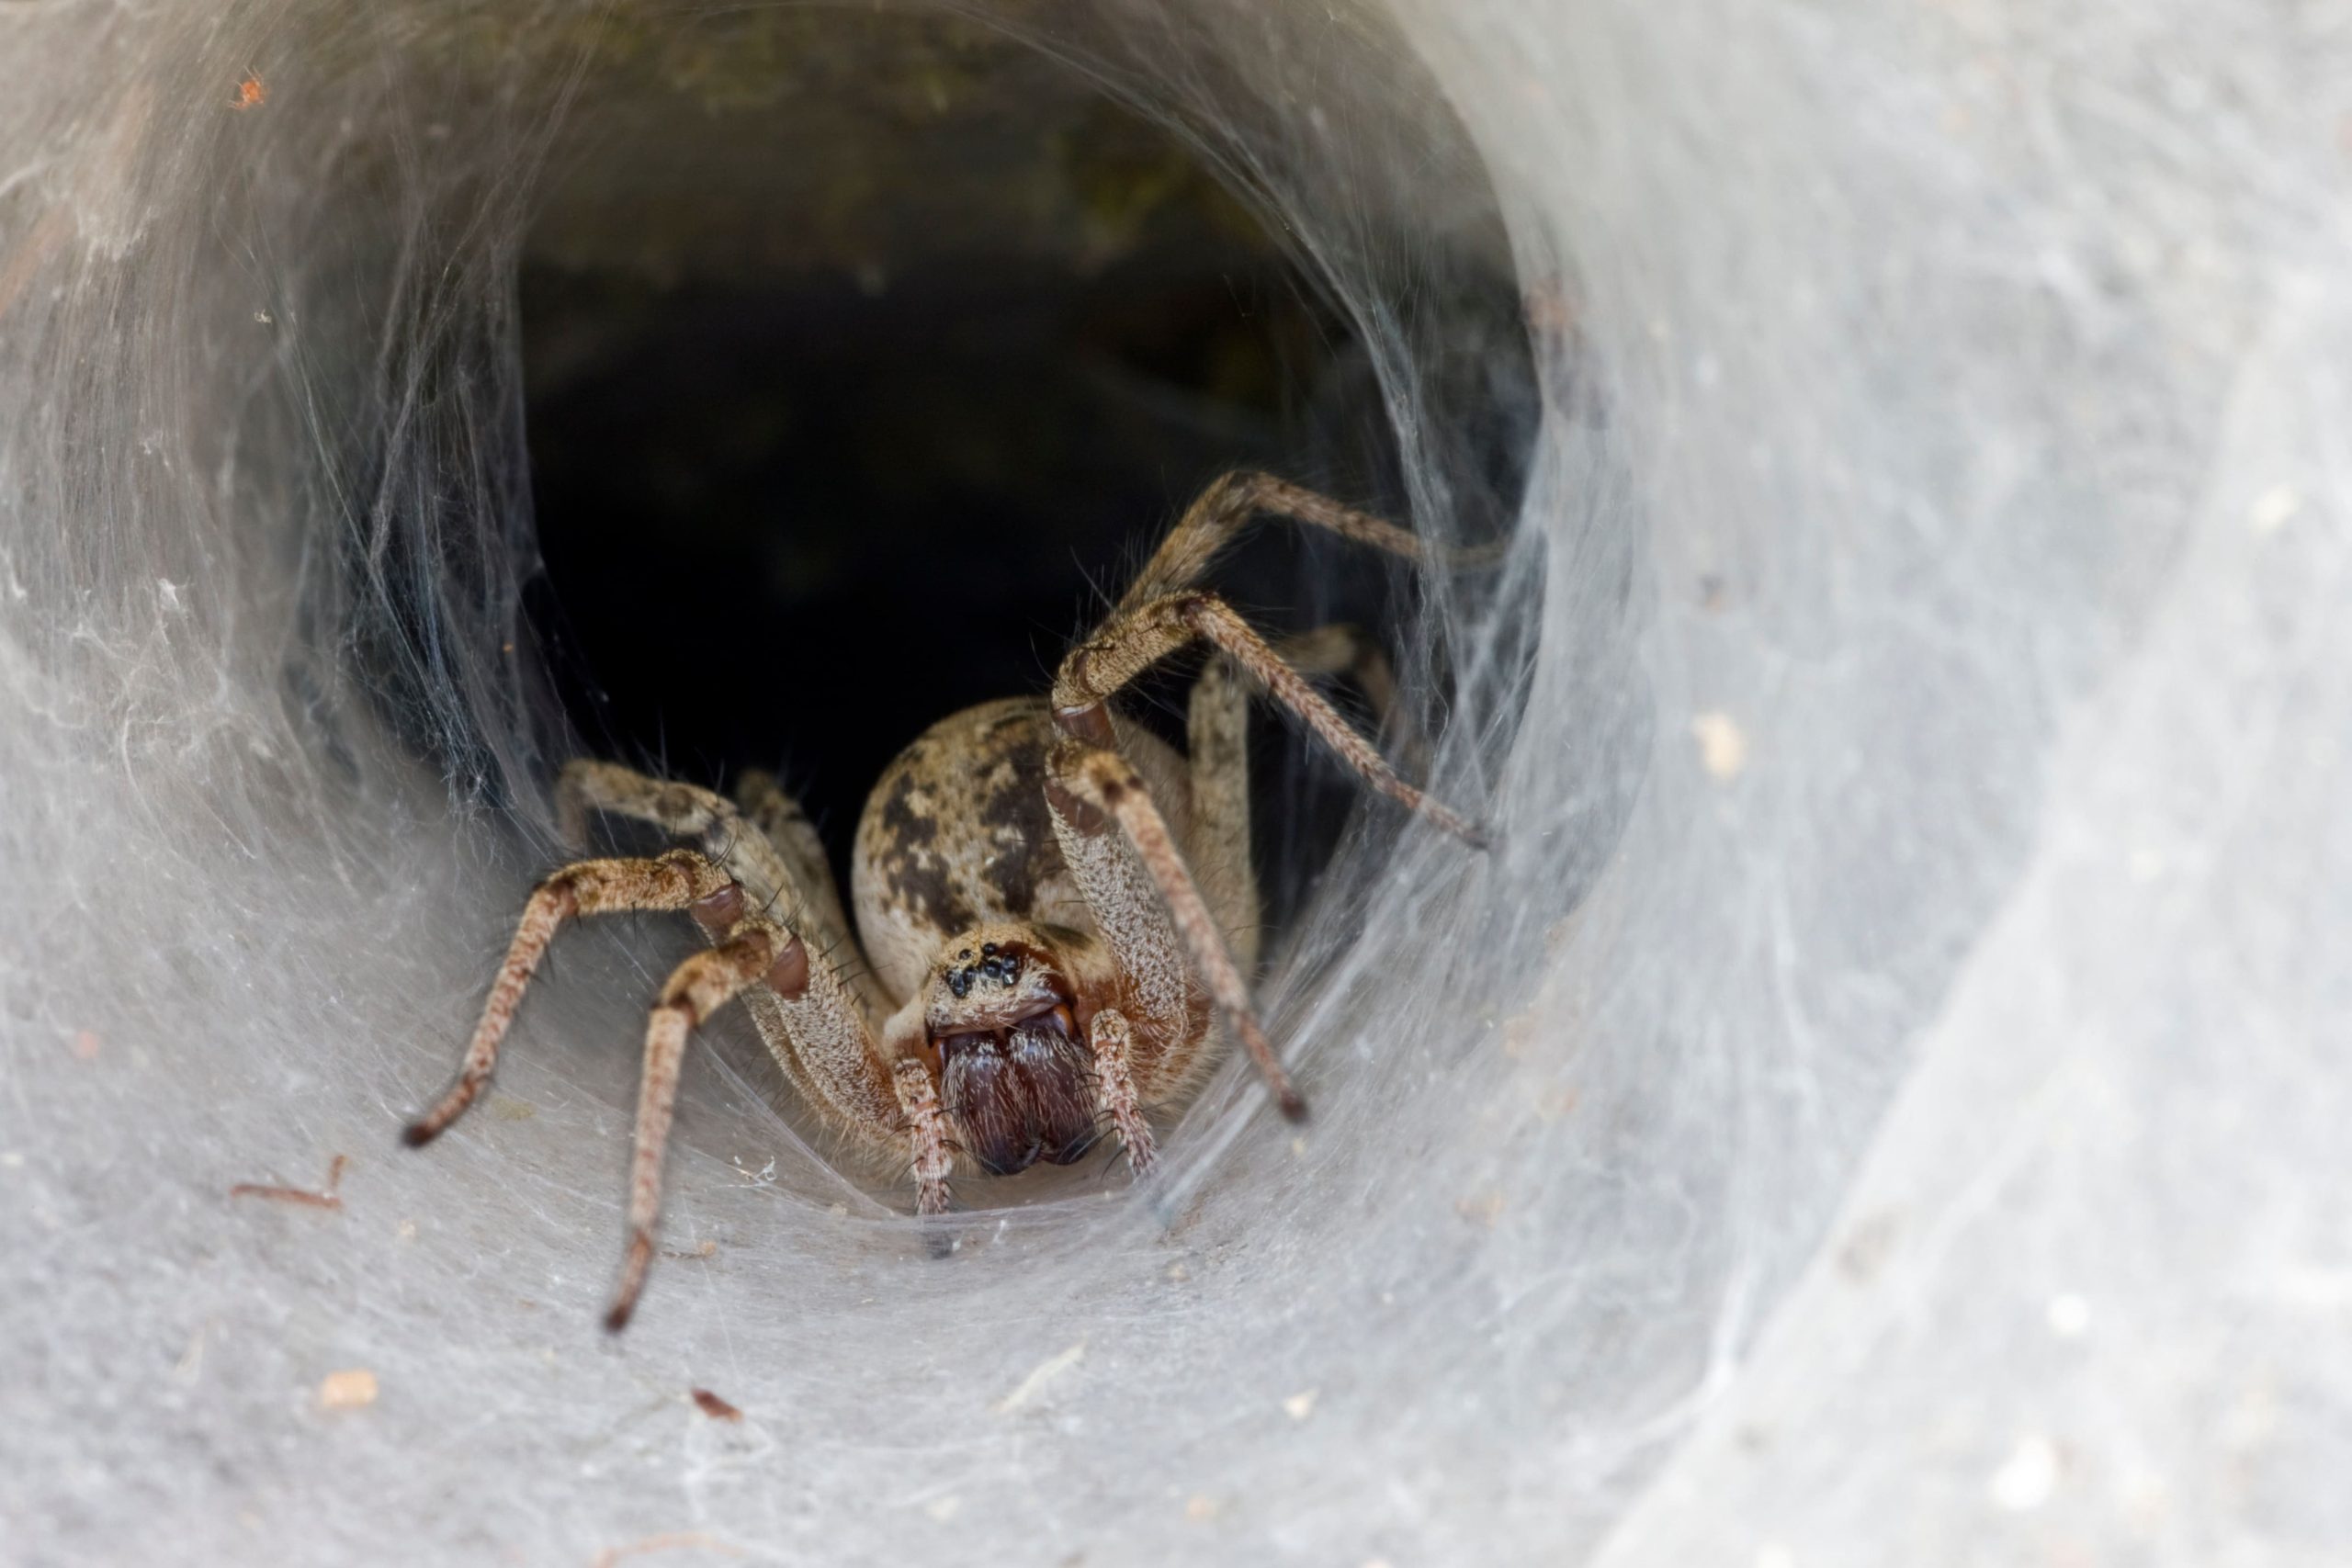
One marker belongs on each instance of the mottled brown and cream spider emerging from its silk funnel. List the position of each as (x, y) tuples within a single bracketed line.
[(1055, 906)]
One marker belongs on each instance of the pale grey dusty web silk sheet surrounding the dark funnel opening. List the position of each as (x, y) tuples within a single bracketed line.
[(1883, 1101)]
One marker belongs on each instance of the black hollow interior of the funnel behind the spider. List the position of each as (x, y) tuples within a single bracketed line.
[(791, 521)]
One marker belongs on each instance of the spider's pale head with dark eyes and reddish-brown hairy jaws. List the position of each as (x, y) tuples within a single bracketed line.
[(1015, 1071)]
